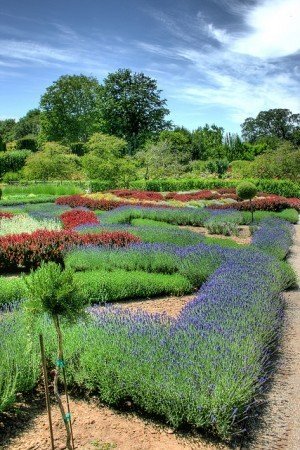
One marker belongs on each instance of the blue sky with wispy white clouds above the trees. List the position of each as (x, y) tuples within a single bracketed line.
[(217, 61)]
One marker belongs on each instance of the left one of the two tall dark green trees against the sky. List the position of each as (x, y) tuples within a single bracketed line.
[(70, 109)]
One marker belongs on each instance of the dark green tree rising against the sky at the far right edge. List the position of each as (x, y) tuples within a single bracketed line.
[(280, 123)]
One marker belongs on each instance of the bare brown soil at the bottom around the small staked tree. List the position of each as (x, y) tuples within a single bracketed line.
[(98, 427)]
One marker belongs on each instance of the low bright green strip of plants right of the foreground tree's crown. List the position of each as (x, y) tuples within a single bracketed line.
[(102, 286)]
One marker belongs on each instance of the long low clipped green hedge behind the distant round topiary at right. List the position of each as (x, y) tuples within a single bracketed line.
[(285, 188)]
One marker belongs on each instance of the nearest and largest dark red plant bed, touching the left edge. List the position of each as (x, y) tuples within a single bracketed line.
[(29, 250)]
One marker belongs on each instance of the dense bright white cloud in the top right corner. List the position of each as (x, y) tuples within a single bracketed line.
[(275, 31)]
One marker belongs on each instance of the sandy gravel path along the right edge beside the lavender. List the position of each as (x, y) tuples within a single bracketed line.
[(281, 418)]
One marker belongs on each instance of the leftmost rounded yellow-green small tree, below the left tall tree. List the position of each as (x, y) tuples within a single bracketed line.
[(54, 162)]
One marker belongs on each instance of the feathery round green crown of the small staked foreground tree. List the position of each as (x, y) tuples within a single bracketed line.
[(54, 291)]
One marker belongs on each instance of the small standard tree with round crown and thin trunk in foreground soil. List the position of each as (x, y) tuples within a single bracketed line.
[(53, 291)]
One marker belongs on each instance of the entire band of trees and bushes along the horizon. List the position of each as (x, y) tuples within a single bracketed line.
[(118, 131)]
